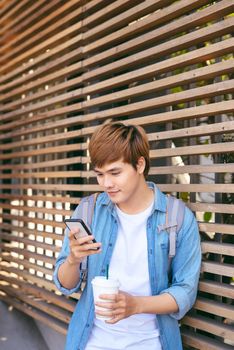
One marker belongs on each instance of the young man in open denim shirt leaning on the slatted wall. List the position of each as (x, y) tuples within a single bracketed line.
[(146, 311)]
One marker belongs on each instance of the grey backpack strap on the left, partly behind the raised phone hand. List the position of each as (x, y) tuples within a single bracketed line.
[(87, 206)]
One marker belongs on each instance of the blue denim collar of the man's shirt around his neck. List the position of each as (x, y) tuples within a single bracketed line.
[(159, 199)]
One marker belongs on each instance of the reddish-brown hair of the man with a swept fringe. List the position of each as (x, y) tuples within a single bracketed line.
[(114, 141)]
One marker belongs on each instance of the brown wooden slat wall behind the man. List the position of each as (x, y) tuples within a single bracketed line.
[(66, 67)]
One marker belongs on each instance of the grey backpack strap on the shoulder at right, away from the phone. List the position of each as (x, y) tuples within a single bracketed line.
[(175, 211)]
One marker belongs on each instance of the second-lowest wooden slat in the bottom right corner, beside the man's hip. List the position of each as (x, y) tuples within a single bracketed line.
[(210, 326)]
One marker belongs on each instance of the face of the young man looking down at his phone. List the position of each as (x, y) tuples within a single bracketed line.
[(120, 180)]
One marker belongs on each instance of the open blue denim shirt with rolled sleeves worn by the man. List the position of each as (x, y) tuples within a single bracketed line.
[(185, 269)]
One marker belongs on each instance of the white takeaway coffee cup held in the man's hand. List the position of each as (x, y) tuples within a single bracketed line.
[(102, 285)]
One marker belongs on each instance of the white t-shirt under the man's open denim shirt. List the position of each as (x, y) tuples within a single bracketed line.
[(129, 264)]
